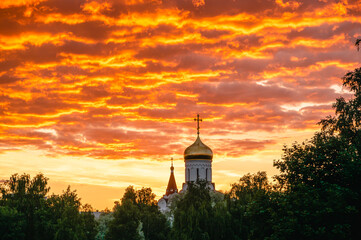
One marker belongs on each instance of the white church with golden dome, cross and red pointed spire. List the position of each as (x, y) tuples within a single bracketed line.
[(198, 166)]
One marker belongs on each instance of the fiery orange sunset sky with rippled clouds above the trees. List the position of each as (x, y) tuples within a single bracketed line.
[(100, 95)]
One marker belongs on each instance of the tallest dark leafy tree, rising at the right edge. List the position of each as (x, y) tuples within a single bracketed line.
[(322, 176)]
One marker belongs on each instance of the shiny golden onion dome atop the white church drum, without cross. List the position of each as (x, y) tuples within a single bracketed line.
[(198, 151)]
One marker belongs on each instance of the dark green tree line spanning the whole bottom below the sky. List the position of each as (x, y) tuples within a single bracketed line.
[(316, 195)]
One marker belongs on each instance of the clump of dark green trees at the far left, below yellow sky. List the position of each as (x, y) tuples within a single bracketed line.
[(29, 214)]
